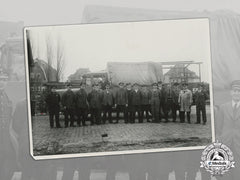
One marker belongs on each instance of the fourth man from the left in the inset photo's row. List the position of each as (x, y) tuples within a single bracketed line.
[(95, 102)]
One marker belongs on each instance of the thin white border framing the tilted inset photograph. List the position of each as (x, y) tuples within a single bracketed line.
[(92, 154)]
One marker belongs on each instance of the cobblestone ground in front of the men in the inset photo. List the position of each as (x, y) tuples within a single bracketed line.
[(120, 136)]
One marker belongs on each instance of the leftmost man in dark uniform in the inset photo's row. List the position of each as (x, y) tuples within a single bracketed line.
[(53, 104)]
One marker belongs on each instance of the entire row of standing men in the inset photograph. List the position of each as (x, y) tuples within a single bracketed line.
[(154, 103)]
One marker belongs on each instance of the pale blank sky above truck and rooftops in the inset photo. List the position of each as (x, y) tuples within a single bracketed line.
[(92, 46)]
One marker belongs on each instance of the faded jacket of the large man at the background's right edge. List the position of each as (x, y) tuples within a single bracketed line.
[(228, 125)]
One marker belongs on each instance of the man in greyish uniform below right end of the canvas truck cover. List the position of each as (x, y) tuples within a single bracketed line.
[(155, 96)]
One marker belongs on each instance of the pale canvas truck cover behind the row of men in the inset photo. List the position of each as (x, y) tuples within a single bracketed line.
[(142, 73)]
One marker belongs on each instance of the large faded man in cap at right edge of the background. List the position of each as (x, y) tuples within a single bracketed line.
[(227, 127)]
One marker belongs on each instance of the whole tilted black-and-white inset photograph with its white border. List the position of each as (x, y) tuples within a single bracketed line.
[(119, 88)]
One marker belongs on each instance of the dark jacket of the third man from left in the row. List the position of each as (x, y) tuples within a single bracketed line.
[(81, 99)]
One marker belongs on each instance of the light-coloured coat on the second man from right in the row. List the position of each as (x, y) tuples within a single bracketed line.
[(185, 100)]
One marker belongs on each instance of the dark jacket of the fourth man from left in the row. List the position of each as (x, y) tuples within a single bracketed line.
[(95, 99)]
